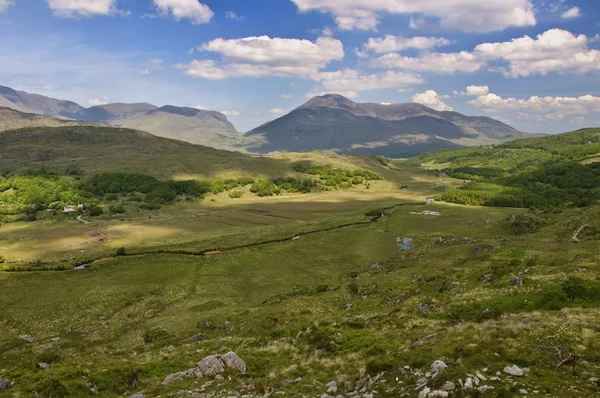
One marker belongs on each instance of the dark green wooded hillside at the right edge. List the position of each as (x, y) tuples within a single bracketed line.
[(544, 172)]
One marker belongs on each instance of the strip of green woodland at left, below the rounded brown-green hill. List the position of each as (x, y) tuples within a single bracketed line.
[(23, 195)]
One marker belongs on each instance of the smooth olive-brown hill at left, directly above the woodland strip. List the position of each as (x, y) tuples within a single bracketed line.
[(102, 149)]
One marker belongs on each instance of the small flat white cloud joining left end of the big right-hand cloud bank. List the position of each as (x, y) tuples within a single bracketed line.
[(442, 63)]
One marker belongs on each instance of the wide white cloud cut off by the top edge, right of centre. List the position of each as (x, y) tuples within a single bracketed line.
[(465, 15)]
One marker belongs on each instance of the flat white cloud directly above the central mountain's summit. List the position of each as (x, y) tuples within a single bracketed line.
[(352, 80)]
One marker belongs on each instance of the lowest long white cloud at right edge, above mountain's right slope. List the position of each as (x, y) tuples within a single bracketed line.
[(539, 108)]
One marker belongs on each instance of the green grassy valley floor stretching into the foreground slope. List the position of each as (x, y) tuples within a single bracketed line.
[(301, 285)]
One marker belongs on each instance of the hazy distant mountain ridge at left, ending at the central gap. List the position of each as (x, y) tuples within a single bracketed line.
[(193, 125)]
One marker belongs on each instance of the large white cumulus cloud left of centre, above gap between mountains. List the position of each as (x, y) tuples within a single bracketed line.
[(265, 56)]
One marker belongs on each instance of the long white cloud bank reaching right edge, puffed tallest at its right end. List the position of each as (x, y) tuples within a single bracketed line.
[(555, 50)]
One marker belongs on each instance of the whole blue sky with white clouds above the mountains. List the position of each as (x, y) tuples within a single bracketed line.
[(534, 64)]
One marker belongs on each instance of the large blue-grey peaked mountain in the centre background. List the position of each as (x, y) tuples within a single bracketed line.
[(333, 122)]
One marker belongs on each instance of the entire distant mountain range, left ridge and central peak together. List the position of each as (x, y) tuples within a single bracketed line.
[(325, 123)]
